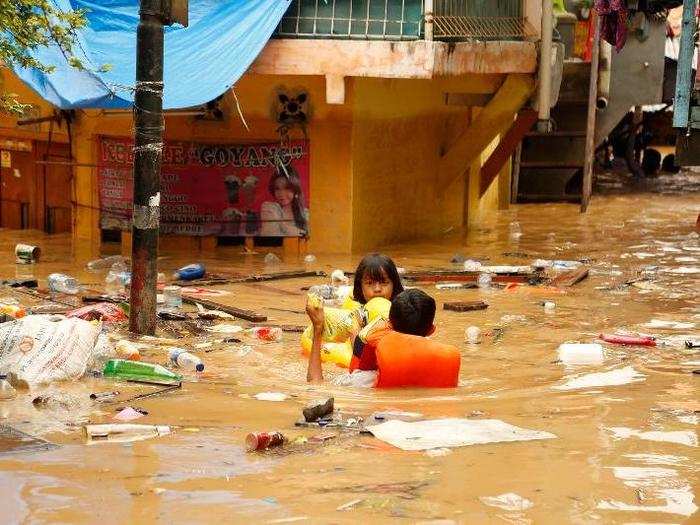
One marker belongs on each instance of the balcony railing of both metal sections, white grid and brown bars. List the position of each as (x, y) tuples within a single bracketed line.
[(403, 19)]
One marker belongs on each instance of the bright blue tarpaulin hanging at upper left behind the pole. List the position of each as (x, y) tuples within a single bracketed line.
[(202, 61)]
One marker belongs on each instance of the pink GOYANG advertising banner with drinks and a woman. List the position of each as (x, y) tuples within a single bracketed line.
[(259, 189)]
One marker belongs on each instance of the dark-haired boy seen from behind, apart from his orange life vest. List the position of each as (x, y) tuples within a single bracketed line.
[(412, 312)]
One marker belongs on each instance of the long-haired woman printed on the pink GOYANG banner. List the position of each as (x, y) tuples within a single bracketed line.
[(286, 216)]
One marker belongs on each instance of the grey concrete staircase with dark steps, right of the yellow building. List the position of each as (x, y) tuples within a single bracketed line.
[(551, 164)]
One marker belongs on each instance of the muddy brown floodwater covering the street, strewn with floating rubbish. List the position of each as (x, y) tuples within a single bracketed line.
[(622, 454)]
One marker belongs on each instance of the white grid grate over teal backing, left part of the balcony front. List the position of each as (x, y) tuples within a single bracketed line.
[(353, 19)]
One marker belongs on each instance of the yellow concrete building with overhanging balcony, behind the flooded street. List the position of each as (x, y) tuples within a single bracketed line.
[(406, 107)]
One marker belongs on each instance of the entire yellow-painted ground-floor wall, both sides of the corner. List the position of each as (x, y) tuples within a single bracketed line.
[(373, 158)]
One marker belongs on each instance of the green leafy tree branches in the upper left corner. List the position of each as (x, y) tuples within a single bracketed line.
[(27, 25)]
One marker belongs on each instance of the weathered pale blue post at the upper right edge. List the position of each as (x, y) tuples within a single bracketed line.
[(681, 102)]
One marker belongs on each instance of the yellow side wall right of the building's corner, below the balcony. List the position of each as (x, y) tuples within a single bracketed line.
[(401, 128)]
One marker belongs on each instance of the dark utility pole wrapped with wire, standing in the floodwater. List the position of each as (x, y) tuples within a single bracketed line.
[(148, 148)]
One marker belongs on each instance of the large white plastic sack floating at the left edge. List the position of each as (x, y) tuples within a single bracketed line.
[(39, 350)]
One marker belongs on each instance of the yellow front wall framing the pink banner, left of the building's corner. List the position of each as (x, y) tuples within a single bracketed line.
[(329, 136)]
